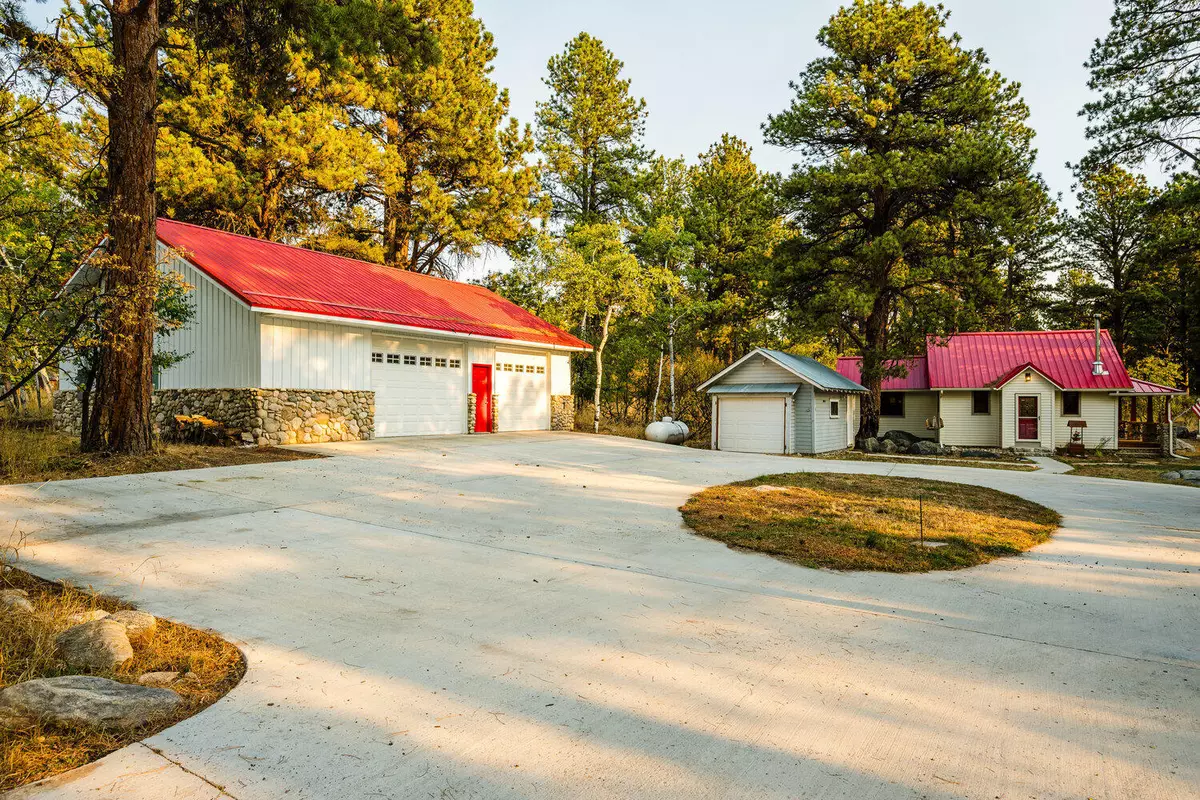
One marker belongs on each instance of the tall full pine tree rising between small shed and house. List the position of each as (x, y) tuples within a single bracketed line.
[(914, 149)]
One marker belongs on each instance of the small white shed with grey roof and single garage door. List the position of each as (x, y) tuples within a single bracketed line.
[(773, 402)]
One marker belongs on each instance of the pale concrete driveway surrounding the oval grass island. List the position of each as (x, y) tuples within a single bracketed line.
[(526, 617)]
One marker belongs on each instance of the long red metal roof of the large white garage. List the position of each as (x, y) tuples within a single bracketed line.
[(280, 278)]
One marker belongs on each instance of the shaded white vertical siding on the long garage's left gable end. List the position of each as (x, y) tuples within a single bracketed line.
[(221, 341)]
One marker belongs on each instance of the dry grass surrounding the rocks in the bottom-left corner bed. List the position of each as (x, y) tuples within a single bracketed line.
[(27, 652)]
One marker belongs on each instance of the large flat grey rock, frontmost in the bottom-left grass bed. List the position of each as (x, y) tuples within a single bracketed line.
[(85, 701)]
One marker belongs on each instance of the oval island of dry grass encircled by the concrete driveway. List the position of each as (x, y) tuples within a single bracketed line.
[(868, 522)]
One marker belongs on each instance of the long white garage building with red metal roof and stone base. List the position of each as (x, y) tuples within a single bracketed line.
[(440, 357)]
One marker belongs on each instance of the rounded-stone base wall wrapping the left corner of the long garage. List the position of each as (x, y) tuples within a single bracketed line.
[(265, 417)]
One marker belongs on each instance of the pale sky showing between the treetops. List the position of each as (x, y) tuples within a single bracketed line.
[(712, 67)]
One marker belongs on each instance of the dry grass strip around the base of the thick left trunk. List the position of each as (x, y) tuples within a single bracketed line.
[(37, 455)]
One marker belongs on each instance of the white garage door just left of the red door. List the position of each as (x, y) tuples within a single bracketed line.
[(419, 386)]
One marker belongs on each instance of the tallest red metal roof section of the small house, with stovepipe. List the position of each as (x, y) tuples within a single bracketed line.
[(983, 360)]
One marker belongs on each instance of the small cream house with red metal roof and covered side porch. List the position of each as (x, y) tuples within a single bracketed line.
[(1030, 390)]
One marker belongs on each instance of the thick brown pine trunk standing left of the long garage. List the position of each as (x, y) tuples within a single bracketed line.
[(121, 412)]
